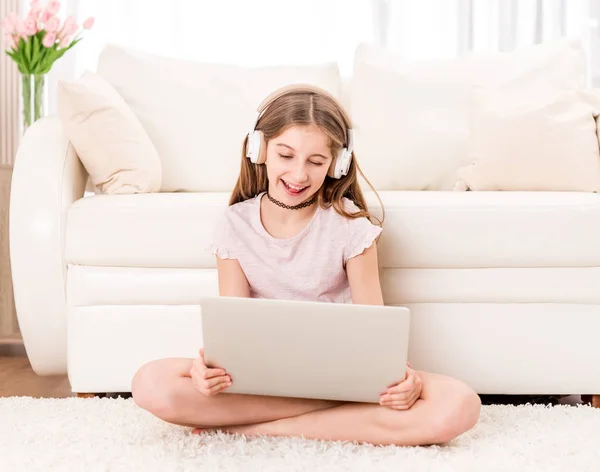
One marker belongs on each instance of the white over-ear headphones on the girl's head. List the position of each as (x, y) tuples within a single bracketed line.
[(256, 147)]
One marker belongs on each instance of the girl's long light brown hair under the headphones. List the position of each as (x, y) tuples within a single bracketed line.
[(298, 108)]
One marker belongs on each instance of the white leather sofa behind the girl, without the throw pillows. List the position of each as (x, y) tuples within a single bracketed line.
[(504, 287)]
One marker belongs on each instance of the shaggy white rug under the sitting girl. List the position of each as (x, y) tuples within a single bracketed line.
[(105, 434)]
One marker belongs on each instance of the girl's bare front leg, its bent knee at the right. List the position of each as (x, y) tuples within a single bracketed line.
[(446, 409)]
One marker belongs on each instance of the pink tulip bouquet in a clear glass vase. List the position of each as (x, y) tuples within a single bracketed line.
[(35, 44)]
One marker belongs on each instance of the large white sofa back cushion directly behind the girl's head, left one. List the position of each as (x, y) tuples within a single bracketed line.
[(197, 114)]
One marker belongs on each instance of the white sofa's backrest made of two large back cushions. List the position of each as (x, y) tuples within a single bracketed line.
[(410, 118)]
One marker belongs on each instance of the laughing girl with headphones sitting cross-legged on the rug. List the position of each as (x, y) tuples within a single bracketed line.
[(298, 228)]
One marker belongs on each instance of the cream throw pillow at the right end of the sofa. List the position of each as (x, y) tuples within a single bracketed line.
[(542, 140)]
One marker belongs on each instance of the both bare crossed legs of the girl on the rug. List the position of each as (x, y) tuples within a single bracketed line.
[(446, 409)]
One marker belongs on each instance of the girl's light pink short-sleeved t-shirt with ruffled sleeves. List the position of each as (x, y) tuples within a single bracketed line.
[(309, 266)]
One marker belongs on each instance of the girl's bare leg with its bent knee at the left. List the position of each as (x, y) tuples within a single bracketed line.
[(164, 388)]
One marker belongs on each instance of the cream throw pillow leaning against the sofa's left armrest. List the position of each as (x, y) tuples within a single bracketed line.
[(107, 136)]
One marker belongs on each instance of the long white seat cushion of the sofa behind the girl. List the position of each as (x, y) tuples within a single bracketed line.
[(421, 229)]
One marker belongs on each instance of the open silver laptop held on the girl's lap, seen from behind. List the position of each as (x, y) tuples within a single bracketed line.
[(328, 351)]
